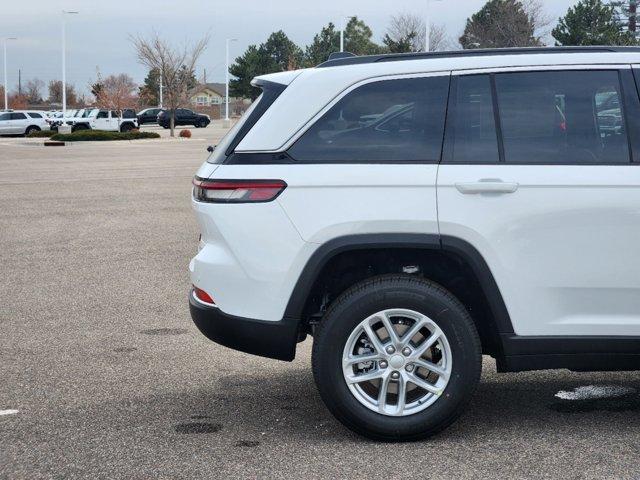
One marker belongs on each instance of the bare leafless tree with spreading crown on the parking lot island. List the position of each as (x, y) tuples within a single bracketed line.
[(175, 65)]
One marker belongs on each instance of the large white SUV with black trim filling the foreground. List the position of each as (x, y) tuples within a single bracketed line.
[(414, 212)]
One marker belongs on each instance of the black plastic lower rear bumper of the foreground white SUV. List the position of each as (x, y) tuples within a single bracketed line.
[(272, 339)]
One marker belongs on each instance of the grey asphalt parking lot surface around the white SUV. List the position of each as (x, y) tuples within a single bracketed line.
[(110, 379)]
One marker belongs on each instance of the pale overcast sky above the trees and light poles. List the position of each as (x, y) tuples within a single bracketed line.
[(98, 36)]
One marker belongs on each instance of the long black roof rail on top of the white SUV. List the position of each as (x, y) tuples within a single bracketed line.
[(394, 57)]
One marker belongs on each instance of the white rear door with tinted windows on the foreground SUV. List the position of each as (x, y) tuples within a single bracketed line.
[(541, 176)]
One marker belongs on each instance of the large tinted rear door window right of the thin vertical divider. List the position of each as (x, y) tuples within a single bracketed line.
[(562, 117)]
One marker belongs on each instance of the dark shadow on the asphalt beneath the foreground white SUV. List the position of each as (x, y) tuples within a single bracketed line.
[(287, 404)]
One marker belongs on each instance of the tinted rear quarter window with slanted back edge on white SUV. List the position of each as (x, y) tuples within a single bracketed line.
[(391, 120)]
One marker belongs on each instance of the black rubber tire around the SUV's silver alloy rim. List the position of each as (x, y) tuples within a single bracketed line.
[(381, 293)]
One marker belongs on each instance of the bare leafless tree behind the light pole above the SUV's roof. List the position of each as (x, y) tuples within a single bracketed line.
[(410, 28)]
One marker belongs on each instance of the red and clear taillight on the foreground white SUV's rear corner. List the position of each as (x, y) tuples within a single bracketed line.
[(237, 191)]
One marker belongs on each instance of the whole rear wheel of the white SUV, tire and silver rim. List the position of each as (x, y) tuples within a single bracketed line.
[(396, 358)]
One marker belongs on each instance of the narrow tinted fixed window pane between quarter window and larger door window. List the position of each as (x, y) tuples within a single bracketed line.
[(472, 127)]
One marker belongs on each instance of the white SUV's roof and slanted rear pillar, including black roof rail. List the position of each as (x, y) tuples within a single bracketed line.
[(309, 91)]
